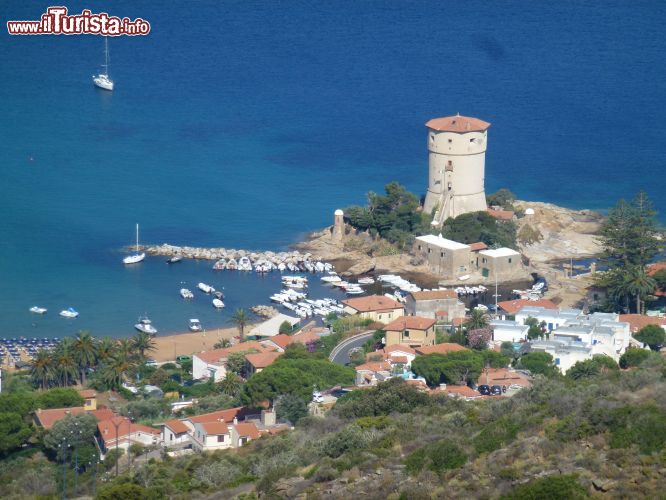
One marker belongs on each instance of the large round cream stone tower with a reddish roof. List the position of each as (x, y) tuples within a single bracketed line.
[(456, 162)]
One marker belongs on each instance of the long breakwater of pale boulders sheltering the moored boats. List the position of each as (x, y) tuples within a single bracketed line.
[(291, 257)]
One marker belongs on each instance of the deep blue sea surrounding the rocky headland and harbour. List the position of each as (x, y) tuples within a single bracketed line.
[(247, 123)]
